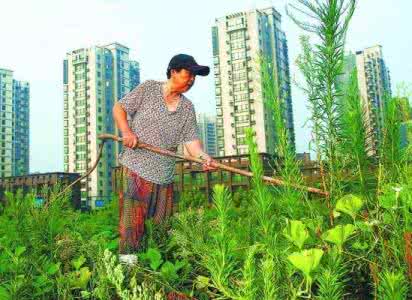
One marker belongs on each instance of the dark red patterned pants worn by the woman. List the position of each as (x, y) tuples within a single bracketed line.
[(140, 200)]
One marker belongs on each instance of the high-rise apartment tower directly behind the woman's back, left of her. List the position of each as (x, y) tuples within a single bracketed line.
[(94, 79)]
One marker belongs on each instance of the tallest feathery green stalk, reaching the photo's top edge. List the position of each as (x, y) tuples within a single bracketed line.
[(331, 21)]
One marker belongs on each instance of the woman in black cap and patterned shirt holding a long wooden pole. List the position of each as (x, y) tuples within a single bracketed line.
[(162, 116)]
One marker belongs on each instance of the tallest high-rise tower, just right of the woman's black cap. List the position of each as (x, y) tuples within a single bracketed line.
[(238, 41)]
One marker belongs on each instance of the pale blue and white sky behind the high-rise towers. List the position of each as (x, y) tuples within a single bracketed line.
[(36, 35)]
